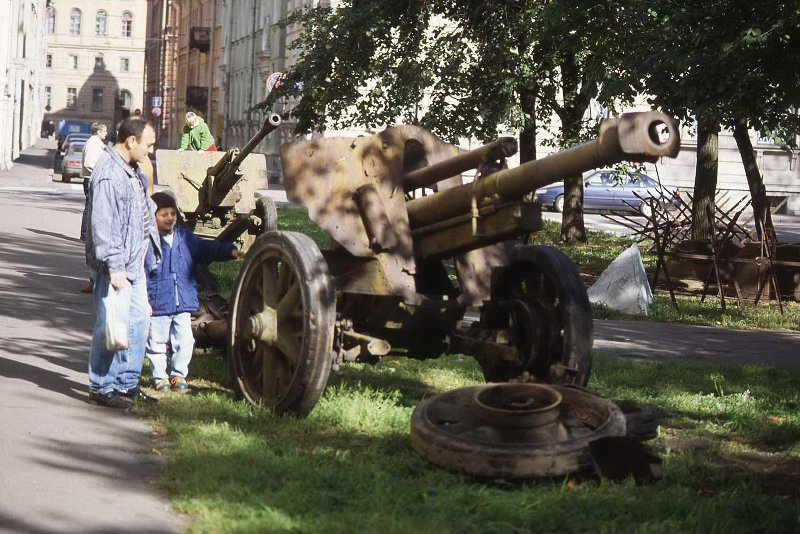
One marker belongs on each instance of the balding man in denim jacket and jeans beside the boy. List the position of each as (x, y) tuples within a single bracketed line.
[(121, 228)]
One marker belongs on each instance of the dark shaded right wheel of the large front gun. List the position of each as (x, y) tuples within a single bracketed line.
[(542, 301)]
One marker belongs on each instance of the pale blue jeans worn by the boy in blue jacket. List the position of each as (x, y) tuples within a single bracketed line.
[(177, 331)]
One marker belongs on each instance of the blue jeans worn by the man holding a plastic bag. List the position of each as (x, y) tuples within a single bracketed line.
[(118, 369)]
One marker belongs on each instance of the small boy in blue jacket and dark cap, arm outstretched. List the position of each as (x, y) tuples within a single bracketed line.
[(172, 292)]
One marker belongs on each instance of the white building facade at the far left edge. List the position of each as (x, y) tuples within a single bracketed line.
[(22, 60)]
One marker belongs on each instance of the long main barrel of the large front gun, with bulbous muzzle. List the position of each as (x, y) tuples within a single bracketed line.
[(631, 137)]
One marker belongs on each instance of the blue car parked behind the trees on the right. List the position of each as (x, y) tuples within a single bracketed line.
[(610, 190)]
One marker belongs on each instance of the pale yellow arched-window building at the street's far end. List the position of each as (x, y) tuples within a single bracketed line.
[(95, 60)]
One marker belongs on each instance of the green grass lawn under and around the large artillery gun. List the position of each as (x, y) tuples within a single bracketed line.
[(729, 439)]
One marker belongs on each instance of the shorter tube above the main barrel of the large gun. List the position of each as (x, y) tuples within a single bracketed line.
[(503, 147)]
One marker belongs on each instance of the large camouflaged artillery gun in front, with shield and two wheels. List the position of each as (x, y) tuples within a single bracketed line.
[(297, 312)]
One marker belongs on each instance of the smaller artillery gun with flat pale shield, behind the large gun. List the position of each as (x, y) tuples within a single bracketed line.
[(217, 192)]
